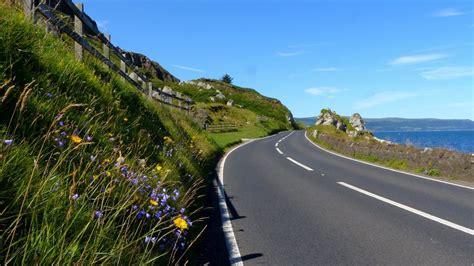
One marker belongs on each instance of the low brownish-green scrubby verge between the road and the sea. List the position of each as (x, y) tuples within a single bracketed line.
[(432, 162)]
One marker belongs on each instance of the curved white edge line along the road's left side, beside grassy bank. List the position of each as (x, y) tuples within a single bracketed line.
[(234, 253)]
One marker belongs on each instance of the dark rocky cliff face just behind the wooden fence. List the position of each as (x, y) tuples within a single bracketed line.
[(148, 67)]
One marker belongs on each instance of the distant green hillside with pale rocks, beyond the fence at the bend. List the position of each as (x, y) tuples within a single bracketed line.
[(253, 114)]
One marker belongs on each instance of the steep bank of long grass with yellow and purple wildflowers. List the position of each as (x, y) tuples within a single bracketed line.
[(91, 171)]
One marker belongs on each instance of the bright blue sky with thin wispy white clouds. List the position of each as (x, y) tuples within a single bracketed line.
[(411, 59)]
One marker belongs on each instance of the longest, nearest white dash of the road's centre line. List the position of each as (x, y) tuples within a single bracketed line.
[(410, 209)]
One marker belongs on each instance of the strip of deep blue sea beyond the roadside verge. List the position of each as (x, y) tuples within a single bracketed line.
[(461, 141)]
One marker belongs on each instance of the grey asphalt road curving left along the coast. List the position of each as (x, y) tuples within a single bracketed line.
[(321, 209)]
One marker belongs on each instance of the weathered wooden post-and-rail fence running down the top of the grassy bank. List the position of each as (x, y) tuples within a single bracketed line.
[(82, 21)]
